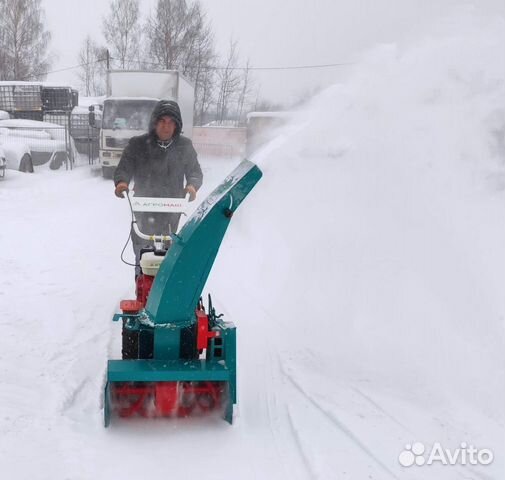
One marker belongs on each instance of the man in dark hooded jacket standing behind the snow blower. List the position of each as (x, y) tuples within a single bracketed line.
[(162, 163)]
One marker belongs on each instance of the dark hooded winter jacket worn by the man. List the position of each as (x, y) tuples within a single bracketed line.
[(157, 172)]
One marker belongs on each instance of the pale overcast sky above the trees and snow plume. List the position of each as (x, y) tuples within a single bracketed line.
[(275, 33)]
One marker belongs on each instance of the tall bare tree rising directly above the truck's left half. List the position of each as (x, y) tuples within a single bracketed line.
[(121, 29)]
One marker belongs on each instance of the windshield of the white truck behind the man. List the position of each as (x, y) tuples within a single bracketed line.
[(127, 114)]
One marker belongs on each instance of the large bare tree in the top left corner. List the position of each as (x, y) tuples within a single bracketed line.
[(23, 40)]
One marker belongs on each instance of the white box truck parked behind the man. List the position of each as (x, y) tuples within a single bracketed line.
[(131, 97)]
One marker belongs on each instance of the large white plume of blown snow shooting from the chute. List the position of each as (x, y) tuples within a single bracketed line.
[(377, 233)]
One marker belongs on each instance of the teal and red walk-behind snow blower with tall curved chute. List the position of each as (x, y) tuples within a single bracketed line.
[(178, 358)]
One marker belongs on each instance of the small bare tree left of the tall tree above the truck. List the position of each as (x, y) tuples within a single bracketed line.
[(92, 68)]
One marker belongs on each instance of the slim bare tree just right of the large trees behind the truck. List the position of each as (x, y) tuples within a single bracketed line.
[(228, 83)]
